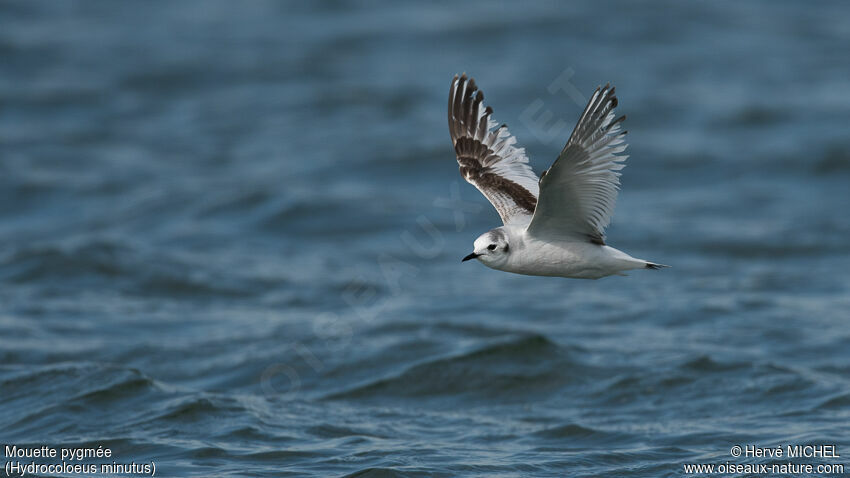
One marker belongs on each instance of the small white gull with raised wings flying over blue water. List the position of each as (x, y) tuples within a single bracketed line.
[(555, 225)]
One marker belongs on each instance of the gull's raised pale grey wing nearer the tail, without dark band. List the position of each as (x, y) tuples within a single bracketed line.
[(579, 191)]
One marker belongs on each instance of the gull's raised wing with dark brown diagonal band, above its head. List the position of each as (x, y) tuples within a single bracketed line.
[(487, 155)]
